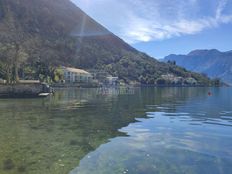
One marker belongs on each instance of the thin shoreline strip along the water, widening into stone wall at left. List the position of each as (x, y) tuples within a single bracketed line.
[(40, 90)]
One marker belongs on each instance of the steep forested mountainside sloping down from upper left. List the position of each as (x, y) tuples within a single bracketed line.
[(38, 34)]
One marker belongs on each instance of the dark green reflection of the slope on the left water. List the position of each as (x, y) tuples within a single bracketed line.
[(51, 135)]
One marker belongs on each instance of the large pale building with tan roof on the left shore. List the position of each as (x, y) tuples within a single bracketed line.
[(74, 75)]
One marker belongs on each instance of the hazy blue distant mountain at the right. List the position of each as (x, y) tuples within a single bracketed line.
[(214, 63)]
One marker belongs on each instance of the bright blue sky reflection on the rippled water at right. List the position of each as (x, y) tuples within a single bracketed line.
[(192, 135)]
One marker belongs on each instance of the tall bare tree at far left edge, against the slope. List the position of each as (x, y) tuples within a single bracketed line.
[(12, 53)]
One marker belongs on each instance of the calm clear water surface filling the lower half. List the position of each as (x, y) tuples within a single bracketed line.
[(135, 131)]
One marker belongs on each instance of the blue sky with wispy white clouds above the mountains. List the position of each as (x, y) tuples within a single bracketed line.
[(163, 27)]
